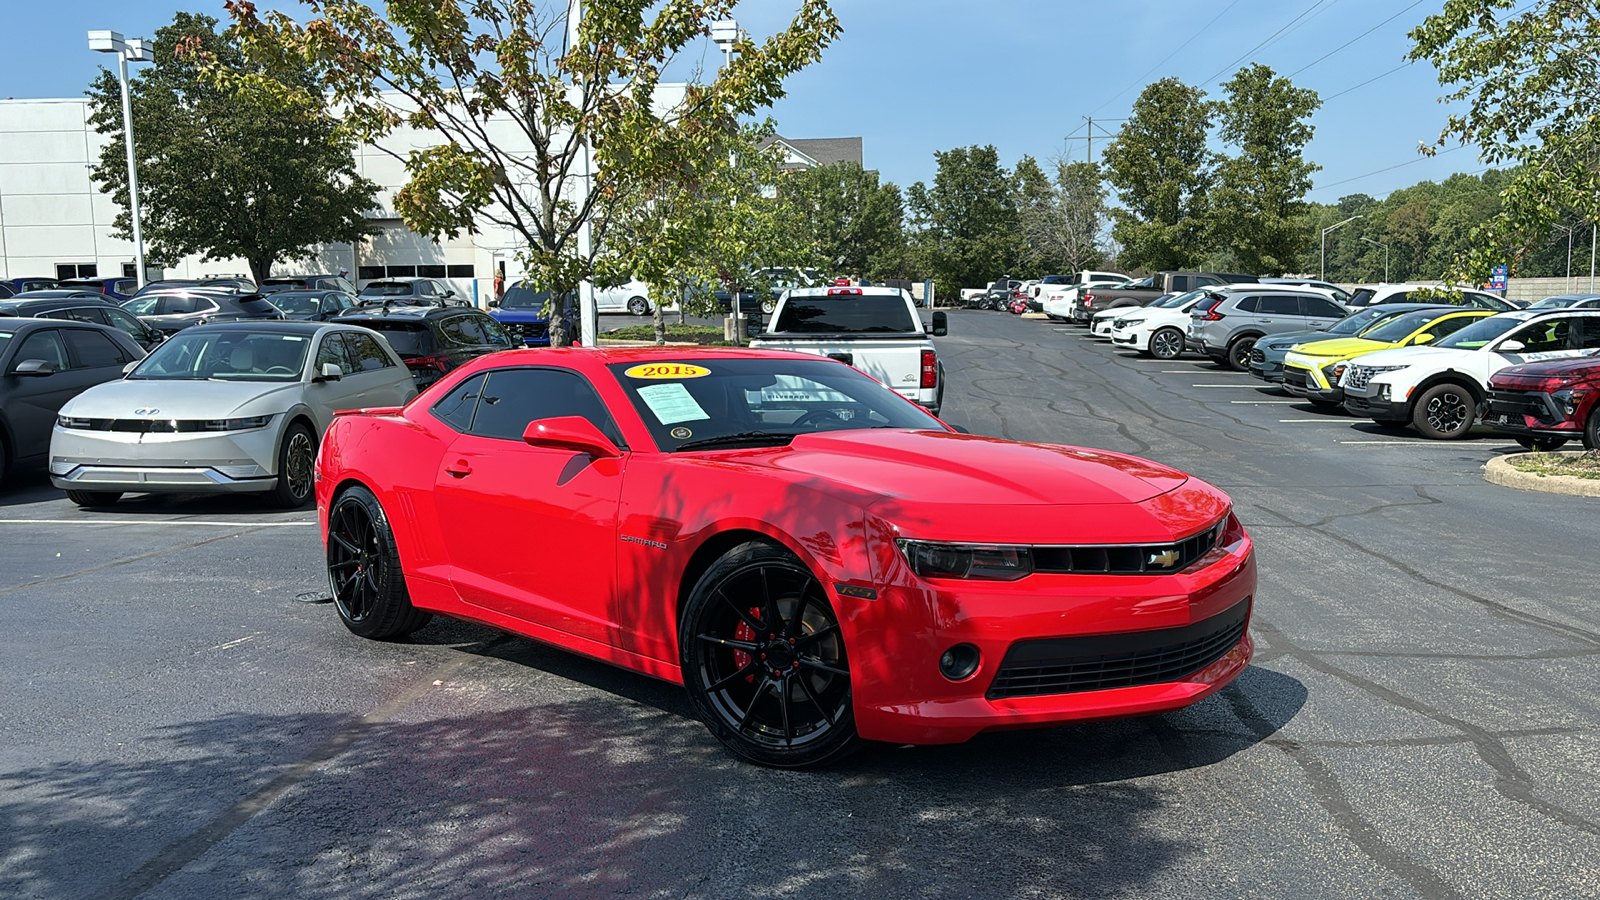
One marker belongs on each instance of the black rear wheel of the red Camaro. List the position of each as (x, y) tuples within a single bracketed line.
[(364, 571)]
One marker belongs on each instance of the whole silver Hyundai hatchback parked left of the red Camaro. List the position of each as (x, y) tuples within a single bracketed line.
[(223, 409)]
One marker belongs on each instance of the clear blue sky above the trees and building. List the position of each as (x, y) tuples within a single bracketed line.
[(919, 76)]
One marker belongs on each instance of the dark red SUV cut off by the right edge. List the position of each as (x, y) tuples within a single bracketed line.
[(1546, 404)]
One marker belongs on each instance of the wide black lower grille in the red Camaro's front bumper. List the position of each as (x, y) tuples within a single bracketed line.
[(1100, 662)]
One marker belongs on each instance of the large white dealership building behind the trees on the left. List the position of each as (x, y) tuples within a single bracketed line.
[(55, 222)]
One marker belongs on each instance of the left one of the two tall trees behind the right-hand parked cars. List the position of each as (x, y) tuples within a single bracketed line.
[(1162, 172)]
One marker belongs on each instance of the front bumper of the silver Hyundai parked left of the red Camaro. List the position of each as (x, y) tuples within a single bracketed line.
[(233, 462)]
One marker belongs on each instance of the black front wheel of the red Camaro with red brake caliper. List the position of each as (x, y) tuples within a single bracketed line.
[(738, 640)]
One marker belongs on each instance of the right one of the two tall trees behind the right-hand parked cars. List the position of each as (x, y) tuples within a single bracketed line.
[(1258, 209)]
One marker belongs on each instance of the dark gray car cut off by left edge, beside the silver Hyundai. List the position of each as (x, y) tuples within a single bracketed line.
[(42, 366)]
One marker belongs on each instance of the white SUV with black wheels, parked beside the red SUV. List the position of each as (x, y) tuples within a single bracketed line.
[(1441, 388)]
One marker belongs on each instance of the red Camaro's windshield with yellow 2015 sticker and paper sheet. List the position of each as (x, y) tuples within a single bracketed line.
[(759, 403)]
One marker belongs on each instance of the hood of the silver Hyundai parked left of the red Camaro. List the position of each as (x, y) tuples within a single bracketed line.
[(183, 400)]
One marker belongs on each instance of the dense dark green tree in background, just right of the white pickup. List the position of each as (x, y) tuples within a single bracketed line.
[(967, 227)]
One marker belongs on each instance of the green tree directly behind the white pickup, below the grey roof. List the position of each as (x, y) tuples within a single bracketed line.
[(846, 222)]
